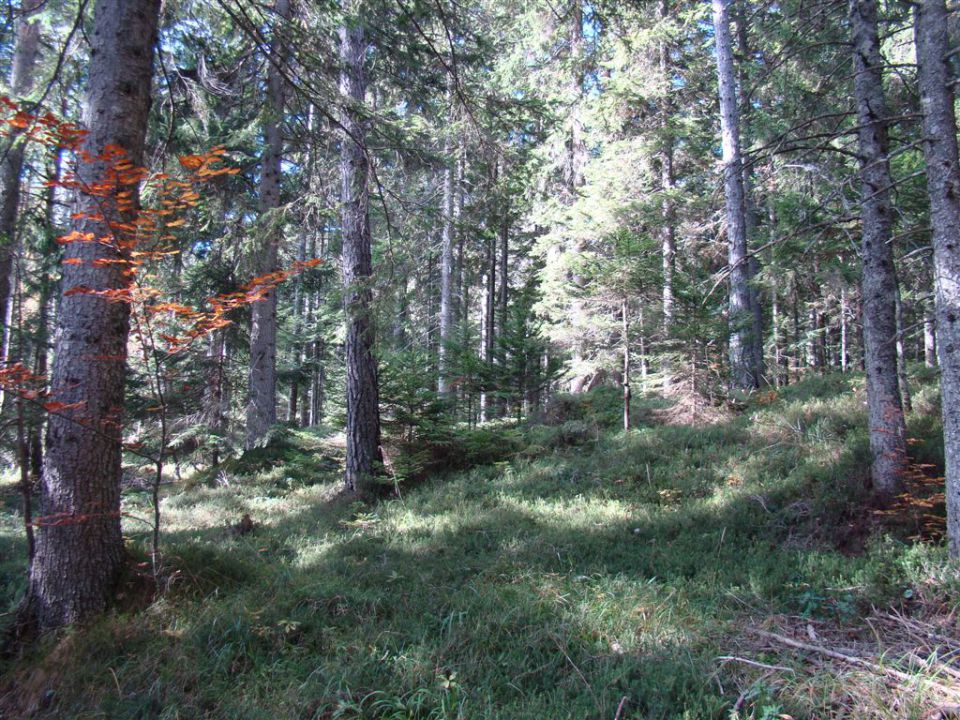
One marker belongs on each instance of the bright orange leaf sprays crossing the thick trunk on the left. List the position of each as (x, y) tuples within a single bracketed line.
[(136, 233)]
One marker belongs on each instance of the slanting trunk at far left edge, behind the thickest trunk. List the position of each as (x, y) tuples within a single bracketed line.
[(11, 153)]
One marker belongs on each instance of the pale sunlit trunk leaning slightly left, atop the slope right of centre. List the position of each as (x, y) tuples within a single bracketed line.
[(744, 374)]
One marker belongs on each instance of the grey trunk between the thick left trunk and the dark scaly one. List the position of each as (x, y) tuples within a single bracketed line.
[(262, 403)]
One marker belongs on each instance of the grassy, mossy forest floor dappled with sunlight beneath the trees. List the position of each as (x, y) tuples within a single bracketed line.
[(673, 571)]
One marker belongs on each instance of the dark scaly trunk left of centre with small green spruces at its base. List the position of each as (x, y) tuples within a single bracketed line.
[(363, 403)]
